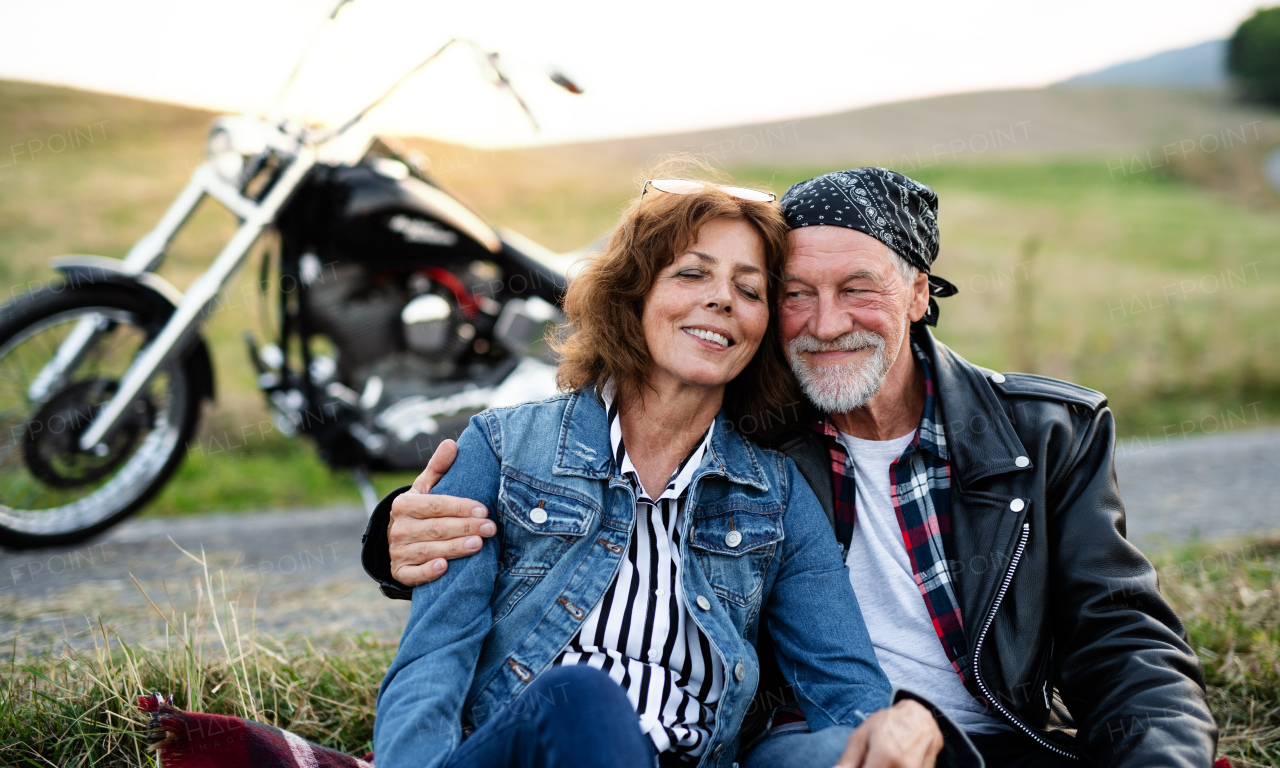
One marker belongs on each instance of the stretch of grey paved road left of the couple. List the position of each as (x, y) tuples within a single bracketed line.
[(292, 573)]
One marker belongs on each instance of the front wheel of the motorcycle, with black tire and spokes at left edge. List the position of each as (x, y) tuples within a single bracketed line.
[(53, 493)]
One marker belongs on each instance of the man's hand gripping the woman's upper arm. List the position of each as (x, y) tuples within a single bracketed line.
[(427, 532)]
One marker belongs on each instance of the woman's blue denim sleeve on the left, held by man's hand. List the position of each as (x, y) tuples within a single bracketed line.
[(422, 700)]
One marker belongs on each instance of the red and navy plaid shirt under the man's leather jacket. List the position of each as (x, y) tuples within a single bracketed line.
[(921, 486)]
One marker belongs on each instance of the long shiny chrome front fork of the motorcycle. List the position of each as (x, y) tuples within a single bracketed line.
[(255, 218)]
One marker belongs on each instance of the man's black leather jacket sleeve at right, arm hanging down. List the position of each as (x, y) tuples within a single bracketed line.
[(1124, 670)]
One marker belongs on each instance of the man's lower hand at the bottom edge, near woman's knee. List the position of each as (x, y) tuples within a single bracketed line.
[(902, 737)]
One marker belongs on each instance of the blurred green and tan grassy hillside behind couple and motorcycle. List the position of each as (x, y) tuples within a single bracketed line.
[(1124, 240)]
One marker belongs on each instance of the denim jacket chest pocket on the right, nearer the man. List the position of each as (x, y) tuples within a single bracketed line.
[(735, 548)]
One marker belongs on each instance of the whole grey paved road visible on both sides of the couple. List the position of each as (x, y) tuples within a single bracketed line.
[(299, 572)]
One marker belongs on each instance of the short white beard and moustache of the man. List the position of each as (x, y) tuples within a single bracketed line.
[(847, 387)]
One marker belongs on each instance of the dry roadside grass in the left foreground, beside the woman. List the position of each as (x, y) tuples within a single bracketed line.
[(81, 708)]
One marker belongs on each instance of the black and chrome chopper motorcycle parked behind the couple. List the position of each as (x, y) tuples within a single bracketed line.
[(401, 313)]
